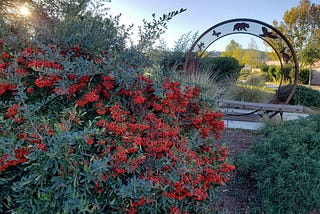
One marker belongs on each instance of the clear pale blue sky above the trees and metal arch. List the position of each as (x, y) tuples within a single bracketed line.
[(203, 14)]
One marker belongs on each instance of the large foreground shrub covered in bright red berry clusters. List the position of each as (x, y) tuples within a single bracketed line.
[(85, 135)]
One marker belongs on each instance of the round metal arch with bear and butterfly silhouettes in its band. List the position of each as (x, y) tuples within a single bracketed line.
[(252, 27)]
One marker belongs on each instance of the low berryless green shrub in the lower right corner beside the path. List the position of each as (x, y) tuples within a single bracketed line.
[(283, 165)]
